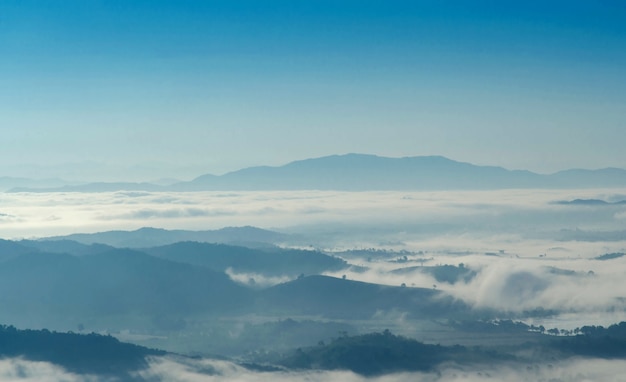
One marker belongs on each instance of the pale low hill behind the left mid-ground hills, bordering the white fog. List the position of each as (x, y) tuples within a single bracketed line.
[(152, 237)]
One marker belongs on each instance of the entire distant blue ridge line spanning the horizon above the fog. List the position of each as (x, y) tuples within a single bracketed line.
[(362, 172)]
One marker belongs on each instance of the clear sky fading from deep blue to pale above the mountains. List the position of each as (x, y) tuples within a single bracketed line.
[(221, 85)]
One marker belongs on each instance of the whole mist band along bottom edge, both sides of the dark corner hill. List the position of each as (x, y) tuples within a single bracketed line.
[(172, 369)]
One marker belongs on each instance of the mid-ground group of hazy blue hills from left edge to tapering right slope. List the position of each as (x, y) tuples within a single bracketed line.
[(128, 286)]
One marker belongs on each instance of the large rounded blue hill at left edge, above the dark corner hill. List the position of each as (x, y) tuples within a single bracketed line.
[(53, 288)]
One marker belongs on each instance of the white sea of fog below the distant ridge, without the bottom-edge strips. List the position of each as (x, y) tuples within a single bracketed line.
[(510, 238)]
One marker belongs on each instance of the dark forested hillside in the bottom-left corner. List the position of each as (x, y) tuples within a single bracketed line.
[(85, 354)]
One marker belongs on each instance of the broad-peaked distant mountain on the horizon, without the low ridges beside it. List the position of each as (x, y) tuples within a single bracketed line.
[(355, 172)]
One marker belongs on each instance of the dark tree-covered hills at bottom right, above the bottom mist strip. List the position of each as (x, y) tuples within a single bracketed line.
[(382, 353)]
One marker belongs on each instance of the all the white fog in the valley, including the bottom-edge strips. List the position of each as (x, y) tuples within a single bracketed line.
[(524, 250)]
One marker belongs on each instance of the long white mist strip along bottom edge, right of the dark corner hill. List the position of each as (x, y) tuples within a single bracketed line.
[(574, 370)]
